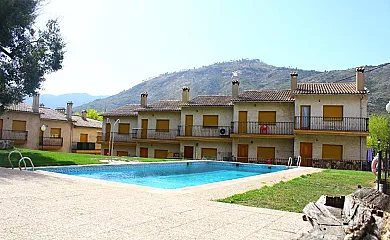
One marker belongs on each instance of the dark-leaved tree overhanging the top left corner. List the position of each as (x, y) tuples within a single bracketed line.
[(26, 52)]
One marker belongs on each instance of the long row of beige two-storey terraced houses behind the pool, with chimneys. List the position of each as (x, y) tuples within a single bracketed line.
[(310, 121)]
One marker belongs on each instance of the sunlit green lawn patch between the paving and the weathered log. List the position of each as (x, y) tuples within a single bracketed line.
[(295, 194)]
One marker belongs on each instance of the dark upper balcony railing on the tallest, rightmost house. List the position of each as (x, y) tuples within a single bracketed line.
[(347, 124)]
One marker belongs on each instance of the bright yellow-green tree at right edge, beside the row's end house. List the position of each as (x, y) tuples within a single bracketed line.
[(379, 129)]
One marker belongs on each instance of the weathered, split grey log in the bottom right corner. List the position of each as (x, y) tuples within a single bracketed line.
[(361, 215)]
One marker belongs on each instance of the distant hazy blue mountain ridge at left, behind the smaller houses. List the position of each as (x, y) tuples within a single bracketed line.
[(54, 101)]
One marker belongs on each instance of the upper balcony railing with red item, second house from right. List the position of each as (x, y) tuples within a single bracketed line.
[(262, 128)]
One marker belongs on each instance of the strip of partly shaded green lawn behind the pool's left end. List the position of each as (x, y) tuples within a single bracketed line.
[(47, 158)]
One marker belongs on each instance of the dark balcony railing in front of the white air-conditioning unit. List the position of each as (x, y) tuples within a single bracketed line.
[(201, 131)]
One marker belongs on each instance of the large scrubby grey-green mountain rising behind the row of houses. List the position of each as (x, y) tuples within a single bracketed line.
[(253, 73)]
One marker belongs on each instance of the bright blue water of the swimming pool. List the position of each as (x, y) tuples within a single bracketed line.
[(169, 175)]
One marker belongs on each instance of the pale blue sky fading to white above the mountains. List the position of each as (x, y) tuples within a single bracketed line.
[(114, 45)]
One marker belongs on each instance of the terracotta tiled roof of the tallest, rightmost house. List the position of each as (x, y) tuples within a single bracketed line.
[(327, 88)]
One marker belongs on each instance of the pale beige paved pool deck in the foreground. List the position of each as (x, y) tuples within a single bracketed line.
[(36, 205)]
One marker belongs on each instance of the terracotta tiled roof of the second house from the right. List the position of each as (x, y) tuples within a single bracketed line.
[(265, 96)]
